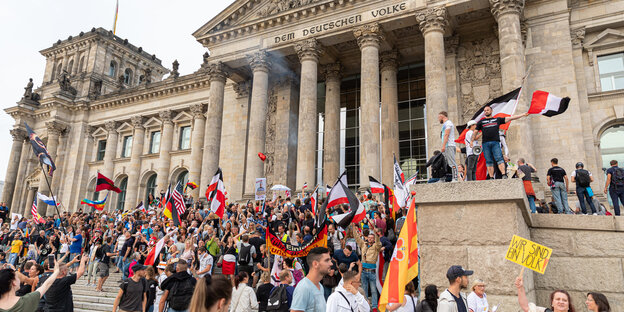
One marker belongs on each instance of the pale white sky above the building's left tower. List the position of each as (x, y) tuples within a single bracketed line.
[(161, 27)]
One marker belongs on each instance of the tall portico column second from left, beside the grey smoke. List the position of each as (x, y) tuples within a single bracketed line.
[(260, 65)]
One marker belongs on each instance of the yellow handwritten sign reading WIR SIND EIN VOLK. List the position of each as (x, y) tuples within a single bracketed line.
[(529, 254)]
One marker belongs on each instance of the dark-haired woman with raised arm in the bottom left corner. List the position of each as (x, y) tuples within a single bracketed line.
[(9, 284)]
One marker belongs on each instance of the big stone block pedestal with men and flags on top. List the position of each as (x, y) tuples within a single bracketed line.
[(471, 224)]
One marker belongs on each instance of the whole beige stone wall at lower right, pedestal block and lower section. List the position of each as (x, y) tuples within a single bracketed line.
[(471, 224)]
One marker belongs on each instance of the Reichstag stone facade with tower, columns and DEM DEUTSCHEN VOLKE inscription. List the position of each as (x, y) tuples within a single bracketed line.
[(258, 91)]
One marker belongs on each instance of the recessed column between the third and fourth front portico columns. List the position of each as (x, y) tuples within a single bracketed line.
[(331, 133)]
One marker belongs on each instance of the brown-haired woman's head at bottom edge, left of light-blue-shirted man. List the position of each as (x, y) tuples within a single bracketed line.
[(212, 294)]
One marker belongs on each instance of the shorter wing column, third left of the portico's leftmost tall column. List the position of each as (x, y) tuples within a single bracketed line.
[(132, 187)]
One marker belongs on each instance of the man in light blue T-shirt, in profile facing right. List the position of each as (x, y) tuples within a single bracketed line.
[(309, 295)]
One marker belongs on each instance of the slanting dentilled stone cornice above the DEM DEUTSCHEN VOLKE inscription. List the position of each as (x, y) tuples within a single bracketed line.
[(222, 31)]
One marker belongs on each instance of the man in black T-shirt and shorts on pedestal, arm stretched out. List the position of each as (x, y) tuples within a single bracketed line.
[(490, 144)]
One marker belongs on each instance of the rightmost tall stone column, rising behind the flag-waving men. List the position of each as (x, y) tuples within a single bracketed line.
[(507, 14)]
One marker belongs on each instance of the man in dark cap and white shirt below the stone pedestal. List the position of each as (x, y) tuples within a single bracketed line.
[(452, 299)]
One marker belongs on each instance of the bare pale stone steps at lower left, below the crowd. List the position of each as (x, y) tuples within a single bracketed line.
[(87, 299)]
